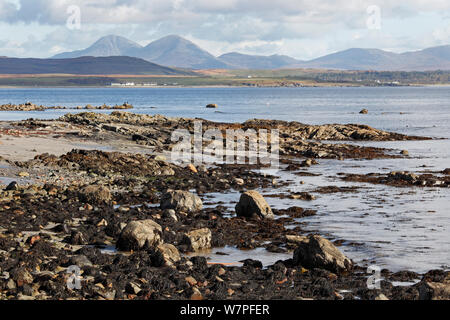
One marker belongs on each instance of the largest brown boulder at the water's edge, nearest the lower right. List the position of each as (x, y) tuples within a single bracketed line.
[(318, 252)]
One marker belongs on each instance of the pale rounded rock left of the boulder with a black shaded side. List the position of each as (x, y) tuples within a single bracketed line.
[(181, 201)]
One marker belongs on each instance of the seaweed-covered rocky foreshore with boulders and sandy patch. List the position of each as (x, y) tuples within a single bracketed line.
[(133, 222)]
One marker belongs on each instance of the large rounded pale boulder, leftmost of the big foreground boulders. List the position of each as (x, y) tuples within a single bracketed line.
[(140, 234)]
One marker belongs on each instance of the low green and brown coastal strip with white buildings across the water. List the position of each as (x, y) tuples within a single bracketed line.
[(237, 78)]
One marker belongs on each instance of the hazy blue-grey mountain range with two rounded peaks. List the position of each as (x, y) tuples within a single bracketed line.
[(176, 51)]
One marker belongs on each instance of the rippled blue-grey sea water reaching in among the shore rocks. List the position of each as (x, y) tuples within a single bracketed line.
[(397, 228)]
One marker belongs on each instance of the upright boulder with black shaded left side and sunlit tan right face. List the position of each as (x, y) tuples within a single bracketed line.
[(252, 203)]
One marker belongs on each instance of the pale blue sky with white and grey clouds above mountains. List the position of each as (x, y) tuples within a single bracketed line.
[(298, 28)]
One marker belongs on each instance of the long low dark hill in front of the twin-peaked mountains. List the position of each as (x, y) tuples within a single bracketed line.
[(86, 65)]
